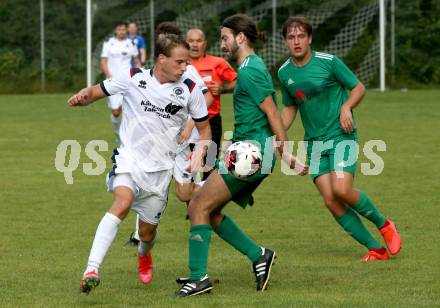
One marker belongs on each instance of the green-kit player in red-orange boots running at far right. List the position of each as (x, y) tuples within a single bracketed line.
[(316, 83)]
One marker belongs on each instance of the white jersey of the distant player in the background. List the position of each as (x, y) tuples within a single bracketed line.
[(118, 54)]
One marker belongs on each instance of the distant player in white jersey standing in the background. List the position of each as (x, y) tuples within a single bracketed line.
[(117, 53)]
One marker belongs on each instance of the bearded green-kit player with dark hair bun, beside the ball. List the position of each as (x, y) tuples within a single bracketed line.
[(256, 118)]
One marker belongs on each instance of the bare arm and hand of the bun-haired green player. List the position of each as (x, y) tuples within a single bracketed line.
[(276, 124)]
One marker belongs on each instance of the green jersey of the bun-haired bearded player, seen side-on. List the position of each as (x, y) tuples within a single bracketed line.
[(254, 84)]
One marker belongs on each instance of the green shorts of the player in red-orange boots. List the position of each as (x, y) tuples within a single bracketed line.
[(337, 154)]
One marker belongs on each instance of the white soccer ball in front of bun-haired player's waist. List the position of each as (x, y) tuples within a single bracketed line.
[(242, 159)]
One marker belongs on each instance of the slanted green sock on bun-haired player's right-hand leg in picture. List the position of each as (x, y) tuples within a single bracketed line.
[(233, 235)]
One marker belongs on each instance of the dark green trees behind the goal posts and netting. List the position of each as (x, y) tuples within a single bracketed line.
[(417, 39)]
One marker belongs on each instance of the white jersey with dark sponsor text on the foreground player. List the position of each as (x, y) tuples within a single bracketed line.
[(153, 118)]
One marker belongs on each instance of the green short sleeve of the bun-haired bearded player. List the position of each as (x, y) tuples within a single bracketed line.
[(257, 85)]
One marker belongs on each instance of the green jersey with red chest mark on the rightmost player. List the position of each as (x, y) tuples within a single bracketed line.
[(319, 88)]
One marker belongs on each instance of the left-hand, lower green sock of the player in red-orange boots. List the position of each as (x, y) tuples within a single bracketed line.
[(352, 224)]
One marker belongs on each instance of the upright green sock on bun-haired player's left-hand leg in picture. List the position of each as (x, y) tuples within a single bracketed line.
[(199, 239)]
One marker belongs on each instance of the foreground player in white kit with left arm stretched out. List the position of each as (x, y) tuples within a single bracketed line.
[(157, 103)]
